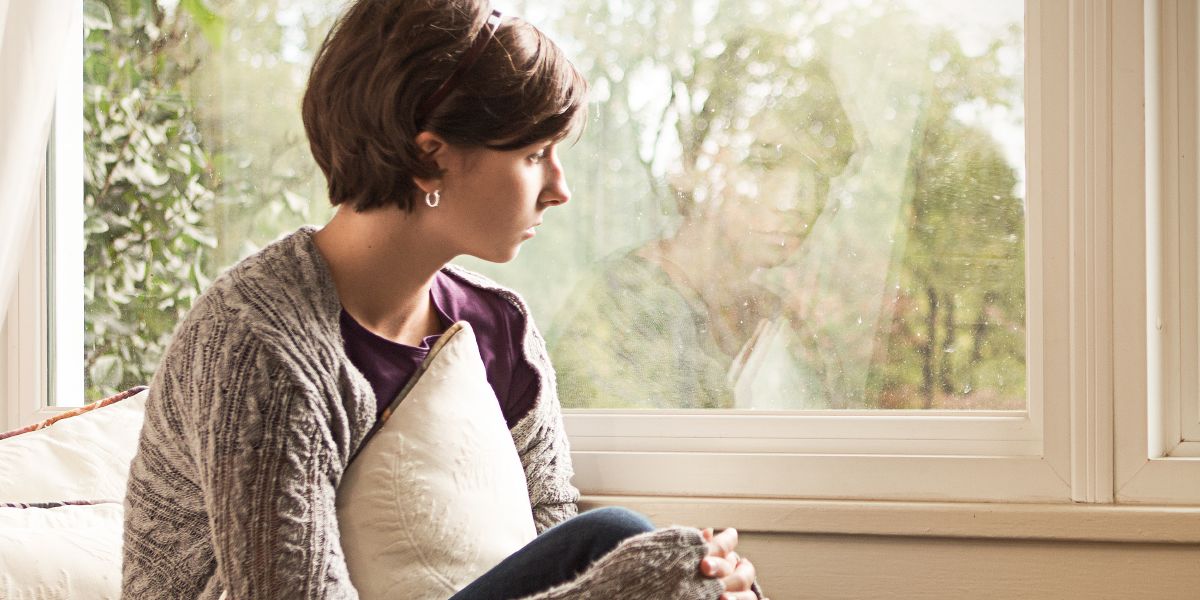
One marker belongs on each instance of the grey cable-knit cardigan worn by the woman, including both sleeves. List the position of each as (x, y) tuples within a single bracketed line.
[(253, 419)]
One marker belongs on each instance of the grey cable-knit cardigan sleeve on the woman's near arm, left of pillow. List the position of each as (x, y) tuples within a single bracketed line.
[(269, 484)]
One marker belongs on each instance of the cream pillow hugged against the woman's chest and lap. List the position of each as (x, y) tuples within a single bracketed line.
[(439, 495)]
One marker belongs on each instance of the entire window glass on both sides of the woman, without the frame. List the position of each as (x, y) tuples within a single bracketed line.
[(777, 206)]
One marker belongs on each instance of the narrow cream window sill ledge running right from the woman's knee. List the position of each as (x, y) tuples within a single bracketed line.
[(1048, 523)]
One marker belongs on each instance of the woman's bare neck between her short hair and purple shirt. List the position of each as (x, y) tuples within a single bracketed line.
[(383, 266)]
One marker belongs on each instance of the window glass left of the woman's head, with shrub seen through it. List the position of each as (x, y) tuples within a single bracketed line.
[(196, 158)]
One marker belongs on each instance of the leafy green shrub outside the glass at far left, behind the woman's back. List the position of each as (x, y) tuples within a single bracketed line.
[(147, 190)]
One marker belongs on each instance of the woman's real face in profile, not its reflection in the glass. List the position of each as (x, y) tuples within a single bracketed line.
[(494, 200)]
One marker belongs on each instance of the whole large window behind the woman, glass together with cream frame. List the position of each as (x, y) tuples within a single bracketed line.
[(886, 268)]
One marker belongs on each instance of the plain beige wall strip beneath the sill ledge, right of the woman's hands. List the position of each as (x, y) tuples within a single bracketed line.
[(866, 567)]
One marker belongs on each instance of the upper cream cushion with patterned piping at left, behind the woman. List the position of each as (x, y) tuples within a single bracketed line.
[(83, 458)]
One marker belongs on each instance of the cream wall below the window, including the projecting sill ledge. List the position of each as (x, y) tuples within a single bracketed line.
[(868, 550)]
